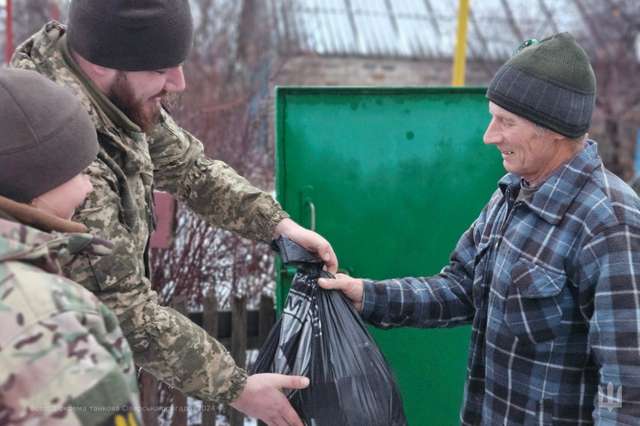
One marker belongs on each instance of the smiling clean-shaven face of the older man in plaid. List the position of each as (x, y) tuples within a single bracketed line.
[(528, 151)]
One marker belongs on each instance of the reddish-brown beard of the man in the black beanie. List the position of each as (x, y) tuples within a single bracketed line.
[(143, 112)]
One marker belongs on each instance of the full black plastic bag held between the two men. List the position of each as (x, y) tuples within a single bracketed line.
[(320, 335)]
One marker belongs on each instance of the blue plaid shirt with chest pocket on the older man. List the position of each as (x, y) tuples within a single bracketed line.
[(551, 286)]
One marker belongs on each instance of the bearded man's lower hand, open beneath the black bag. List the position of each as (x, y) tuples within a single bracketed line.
[(262, 398)]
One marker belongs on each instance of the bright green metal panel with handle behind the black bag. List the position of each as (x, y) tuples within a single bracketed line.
[(392, 177)]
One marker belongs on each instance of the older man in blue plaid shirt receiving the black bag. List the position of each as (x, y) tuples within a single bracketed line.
[(547, 273)]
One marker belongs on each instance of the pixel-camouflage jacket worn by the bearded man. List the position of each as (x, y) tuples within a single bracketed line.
[(129, 166)]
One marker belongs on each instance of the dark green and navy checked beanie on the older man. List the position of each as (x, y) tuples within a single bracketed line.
[(550, 83)]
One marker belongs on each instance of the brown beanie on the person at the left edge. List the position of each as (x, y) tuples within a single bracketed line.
[(47, 136)]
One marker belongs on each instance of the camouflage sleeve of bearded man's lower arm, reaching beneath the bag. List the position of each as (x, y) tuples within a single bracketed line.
[(163, 341)]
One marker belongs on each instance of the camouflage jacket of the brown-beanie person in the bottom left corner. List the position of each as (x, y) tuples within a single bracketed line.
[(63, 357)]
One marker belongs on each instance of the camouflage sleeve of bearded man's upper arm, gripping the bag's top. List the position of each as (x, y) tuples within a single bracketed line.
[(210, 188)]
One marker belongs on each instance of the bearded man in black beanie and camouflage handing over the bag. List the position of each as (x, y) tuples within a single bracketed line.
[(121, 58)]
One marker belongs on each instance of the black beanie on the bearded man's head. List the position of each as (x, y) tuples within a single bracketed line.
[(131, 35)]
